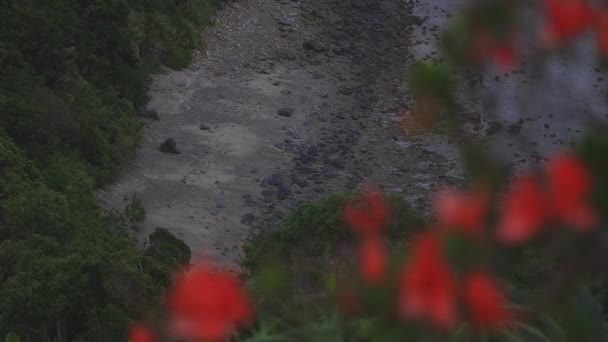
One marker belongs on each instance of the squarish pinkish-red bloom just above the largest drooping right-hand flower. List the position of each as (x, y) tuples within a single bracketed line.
[(462, 211)]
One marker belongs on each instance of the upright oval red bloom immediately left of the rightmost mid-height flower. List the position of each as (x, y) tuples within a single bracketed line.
[(524, 212)]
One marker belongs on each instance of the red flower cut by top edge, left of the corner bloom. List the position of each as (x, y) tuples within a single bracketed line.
[(567, 18)]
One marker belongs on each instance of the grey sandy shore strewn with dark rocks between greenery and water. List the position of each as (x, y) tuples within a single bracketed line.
[(290, 101)]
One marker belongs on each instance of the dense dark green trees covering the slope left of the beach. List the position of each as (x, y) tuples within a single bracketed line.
[(73, 74)]
